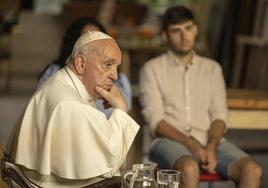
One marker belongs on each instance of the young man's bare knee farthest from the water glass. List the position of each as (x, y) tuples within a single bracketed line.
[(252, 169)]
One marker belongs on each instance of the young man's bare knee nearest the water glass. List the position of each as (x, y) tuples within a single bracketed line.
[(187, 165)]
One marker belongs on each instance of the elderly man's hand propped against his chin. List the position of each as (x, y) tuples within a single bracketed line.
[(113, 98)]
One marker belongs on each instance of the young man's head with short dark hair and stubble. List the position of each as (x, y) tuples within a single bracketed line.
[(178, 27)]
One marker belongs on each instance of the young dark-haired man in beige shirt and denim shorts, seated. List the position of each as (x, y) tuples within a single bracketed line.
[(184, 102)]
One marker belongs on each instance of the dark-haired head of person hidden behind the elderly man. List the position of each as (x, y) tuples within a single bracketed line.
[(73, 32)]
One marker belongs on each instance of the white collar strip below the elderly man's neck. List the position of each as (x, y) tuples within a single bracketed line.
[(79, 86)]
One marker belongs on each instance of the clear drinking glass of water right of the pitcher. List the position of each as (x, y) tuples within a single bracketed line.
[(168, 178)]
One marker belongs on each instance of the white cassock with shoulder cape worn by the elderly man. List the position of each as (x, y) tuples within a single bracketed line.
[(62, 134)]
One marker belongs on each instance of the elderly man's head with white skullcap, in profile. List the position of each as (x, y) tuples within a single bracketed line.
[(94, 60)]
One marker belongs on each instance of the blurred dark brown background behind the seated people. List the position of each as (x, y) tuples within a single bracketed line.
[(233, 32)]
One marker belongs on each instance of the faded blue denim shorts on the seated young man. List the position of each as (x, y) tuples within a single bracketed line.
[(165, 152)]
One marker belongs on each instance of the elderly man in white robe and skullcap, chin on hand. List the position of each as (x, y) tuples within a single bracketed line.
[(61, 139)]
